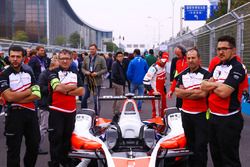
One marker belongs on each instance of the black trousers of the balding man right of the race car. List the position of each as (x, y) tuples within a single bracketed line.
[(196, 132)]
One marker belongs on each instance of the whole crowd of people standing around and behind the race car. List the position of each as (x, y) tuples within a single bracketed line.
[(39, 97)]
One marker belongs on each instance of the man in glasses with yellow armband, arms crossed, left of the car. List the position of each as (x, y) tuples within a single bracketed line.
[(65, 85)]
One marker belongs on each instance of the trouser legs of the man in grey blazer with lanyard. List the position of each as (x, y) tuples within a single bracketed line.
[(96, 94)]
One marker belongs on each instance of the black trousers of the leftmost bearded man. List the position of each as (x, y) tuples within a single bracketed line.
[(19, 123)]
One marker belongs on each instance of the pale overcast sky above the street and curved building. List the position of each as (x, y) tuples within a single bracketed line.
[(138, 21)]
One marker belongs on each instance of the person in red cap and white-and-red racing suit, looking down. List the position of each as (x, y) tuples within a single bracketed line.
[(154, 81)]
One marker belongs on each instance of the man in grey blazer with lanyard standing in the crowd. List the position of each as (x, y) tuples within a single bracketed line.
[(94, 66)]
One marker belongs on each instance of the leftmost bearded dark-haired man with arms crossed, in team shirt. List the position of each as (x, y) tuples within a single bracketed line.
[(18, 88)]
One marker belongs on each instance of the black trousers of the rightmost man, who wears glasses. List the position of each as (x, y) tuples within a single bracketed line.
[(225, 133)]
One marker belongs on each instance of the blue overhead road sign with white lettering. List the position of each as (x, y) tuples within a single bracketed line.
[(195, 12)]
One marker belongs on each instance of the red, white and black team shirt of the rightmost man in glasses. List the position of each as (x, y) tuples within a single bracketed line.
[(232, 74)]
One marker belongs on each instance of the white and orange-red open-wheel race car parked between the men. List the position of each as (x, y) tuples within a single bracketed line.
[(126, 141)]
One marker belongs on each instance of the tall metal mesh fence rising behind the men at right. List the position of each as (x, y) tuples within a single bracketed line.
[(235, 23)]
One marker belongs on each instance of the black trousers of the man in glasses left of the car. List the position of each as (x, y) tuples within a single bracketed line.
[(61, 126)]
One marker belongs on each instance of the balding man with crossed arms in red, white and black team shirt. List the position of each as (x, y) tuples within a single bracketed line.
[(194, 107)]
